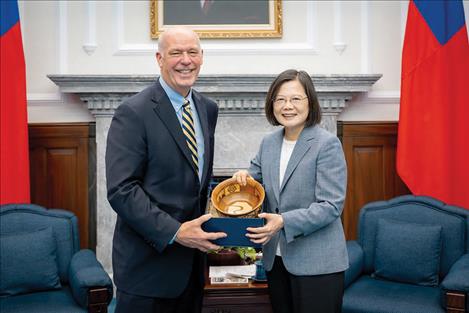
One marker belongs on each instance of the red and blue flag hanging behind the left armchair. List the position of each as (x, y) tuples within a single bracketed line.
[(14, 168)]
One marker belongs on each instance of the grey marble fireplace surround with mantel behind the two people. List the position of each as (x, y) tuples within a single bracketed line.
[(241, 123)]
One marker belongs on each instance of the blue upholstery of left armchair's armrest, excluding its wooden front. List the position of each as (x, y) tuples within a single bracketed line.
[(86, 272)]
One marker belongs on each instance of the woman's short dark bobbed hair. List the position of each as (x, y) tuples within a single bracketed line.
[(314, 116)]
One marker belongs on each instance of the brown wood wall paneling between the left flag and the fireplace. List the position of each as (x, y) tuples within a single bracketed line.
[(61, 172)]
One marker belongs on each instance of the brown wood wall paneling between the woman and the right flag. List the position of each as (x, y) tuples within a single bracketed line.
[(370, 152)]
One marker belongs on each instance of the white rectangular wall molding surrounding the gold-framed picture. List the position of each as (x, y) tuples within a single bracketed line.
[(235, 48)]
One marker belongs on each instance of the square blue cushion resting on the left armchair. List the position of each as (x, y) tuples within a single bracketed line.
[(28, 262)]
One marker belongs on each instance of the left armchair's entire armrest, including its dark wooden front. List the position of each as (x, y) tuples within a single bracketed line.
[(88, 280)]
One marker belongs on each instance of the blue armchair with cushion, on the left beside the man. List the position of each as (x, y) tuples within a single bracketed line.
[(42, 268)]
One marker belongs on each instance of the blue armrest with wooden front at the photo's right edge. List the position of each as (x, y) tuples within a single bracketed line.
[(456, 285)]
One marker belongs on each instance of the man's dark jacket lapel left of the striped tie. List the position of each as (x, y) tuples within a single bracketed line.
[(164, 109)]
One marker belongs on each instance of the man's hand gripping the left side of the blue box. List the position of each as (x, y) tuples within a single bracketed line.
[(191, 235)]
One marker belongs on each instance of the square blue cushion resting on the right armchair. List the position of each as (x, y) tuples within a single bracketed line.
[(395, 254)]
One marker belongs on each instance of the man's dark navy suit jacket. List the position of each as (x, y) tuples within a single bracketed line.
[(153, 187)]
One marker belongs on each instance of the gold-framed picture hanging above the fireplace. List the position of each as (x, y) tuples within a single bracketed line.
[(227, 18)]
